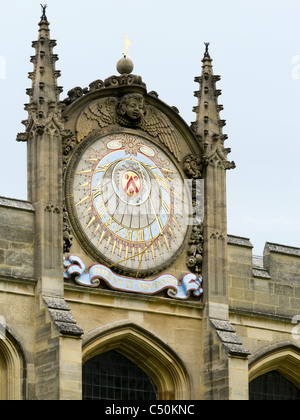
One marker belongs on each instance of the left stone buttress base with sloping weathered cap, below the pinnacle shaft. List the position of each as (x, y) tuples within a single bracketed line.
[(57, 351)]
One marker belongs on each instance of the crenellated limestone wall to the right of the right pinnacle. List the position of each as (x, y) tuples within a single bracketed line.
[(264, 295)]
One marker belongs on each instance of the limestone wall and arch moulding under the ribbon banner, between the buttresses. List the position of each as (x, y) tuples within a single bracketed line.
[(175, 328)]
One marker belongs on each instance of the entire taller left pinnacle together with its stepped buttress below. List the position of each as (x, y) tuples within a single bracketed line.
[(44, 136)]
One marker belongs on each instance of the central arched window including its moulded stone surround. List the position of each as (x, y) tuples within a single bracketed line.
[(150, 356)]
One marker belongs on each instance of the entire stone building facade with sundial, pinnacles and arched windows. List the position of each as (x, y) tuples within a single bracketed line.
[(185, 304)]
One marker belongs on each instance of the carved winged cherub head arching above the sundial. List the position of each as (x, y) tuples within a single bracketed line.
[(131, 111)]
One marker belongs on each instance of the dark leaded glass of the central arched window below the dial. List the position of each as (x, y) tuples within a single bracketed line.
[(111, 376)]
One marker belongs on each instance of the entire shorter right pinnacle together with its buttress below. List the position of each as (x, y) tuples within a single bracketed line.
[(208, 129)]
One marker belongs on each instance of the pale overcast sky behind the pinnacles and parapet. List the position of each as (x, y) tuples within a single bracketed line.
[(255, 46)]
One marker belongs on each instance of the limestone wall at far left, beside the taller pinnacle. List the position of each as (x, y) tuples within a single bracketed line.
[(17, 287)]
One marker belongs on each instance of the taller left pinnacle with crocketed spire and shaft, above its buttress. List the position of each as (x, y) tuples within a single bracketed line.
[(44, 132)]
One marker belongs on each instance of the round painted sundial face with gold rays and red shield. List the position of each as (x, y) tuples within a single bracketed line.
[(130, 203)]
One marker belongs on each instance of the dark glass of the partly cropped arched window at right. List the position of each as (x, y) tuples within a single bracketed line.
[(273, 386)]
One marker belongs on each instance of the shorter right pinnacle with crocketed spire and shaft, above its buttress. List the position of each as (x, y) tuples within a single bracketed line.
[(208, 129)]
